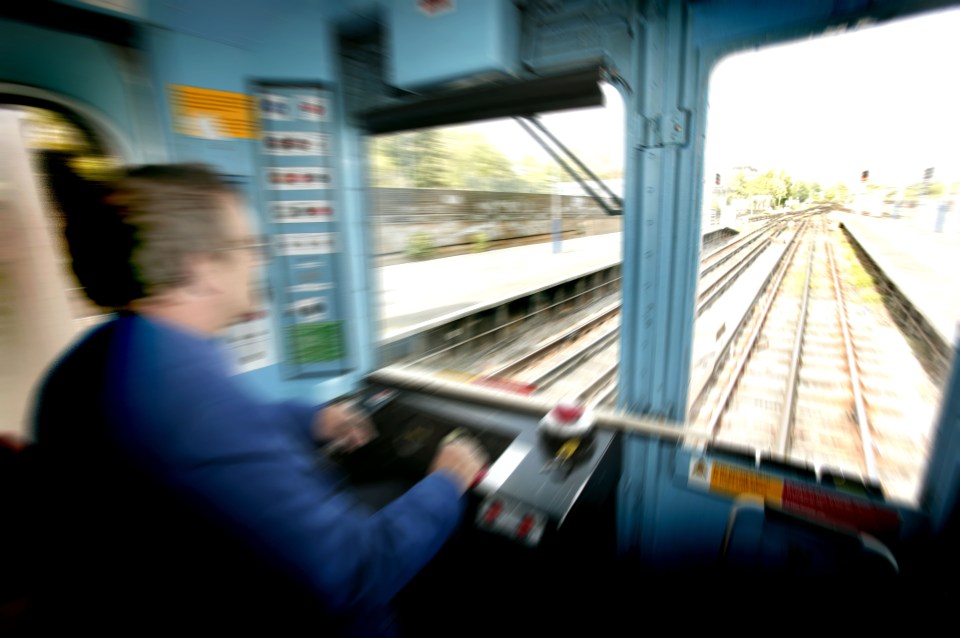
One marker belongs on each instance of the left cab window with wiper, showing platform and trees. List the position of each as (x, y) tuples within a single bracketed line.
[(496, 266)]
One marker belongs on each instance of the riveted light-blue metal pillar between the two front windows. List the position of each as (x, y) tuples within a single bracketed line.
[(662, 230)]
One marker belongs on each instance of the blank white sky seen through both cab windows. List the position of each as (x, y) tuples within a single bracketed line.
[(882, 98)]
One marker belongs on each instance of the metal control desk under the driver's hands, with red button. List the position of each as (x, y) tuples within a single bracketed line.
[(524, 497)]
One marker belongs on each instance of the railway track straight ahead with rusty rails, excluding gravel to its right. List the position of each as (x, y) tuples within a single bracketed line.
[(788, 392)]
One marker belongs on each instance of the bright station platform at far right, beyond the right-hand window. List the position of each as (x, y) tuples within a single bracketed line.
[(922, 263)]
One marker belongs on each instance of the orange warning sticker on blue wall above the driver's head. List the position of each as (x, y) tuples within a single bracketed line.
[(212, 114)]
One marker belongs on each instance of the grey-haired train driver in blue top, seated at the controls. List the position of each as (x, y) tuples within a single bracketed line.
[(173, 497)]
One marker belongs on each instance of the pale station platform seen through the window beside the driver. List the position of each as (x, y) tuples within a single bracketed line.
[(418, 295)]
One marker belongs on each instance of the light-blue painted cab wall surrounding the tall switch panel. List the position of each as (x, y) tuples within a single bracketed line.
[(288, 45)]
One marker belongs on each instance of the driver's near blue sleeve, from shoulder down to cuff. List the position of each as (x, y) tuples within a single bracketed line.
[(200, 433)]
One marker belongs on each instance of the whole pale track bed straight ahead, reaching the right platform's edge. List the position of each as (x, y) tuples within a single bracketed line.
[(813, 380)]
